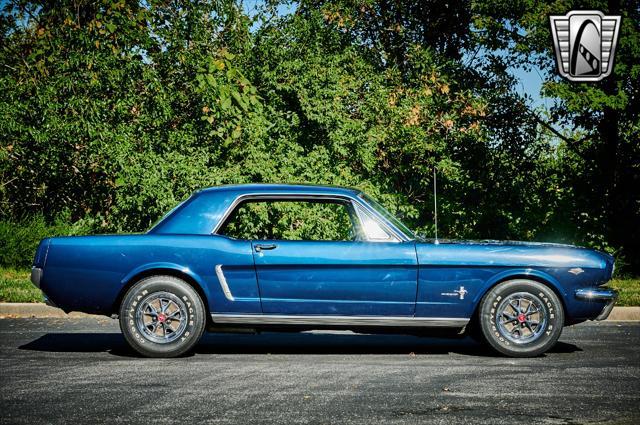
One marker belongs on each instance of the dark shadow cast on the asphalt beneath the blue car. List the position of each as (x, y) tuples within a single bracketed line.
[(281, 343)]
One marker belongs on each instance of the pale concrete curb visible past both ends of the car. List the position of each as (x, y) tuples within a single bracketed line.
[(21, 310)]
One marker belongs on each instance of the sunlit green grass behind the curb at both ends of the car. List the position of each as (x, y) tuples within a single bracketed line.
[(15, 287)]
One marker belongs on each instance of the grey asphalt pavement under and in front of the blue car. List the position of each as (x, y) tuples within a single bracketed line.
[(81, 371)]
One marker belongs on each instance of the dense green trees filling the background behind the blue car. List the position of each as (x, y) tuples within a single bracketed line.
[(111, 112)]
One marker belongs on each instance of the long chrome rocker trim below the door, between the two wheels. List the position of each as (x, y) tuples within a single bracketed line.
[(277, 319)]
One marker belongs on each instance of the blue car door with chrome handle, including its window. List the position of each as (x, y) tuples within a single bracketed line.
[(321, 257)]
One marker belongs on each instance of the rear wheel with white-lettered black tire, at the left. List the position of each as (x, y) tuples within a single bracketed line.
[(176, 330)]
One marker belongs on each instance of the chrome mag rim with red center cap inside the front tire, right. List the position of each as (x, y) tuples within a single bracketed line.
[(521, 317)]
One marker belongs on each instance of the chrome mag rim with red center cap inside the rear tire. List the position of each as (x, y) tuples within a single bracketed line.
[(161, 317)]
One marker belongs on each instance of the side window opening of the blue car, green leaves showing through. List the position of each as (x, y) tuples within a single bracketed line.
[(291, 220)]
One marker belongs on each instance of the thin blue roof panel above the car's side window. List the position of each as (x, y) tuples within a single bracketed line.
[(282, 189)]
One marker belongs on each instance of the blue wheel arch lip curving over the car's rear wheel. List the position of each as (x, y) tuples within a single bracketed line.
[(174, 270)]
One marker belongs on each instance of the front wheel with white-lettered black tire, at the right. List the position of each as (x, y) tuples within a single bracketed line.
[(521, 337)]
